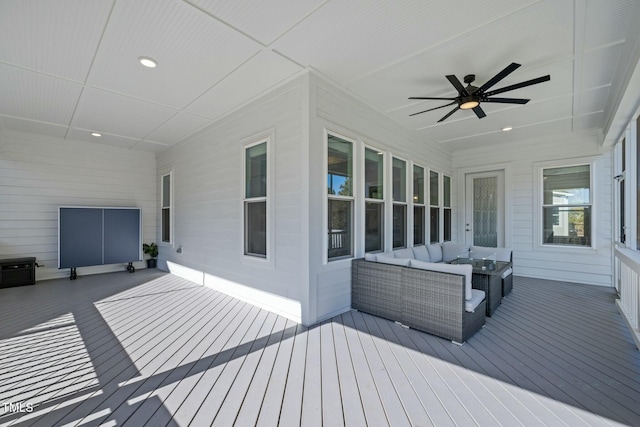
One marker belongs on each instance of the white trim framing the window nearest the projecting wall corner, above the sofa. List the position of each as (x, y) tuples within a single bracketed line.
[(325, 202)]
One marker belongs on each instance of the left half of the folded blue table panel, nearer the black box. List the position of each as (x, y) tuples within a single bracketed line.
[(80, 237)]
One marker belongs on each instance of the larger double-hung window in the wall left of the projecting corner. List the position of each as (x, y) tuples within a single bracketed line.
[(255, 200)]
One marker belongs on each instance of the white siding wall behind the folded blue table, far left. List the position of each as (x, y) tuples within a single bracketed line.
[(38, 174)]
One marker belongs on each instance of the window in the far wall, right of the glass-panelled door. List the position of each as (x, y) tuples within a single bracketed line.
[(566, 209)]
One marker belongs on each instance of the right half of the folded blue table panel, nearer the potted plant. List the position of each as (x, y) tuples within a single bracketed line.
[(121, 235)]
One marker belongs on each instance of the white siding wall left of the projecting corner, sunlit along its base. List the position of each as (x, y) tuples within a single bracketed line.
[(208, 201)]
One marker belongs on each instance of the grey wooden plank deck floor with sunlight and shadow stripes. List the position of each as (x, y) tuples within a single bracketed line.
[(152, 349)]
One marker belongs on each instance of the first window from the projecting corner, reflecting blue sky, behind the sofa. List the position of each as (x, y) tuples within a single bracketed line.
[(340, 197)]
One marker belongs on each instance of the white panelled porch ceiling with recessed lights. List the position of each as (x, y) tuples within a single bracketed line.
[(70, 67)]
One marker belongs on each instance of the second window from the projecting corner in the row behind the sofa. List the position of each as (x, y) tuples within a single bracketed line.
[(374, 200)]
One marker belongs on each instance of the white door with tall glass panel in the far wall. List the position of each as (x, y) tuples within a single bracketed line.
[(484, 209)]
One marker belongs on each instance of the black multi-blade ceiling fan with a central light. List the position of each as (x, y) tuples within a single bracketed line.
[(470, 97)]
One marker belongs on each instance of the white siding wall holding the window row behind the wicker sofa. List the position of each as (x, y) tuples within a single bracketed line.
[(334, 110)]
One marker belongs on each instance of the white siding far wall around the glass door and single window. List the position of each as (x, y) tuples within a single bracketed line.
[(592, 266)]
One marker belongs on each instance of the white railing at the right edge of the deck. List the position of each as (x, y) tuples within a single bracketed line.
[(627, 281)]
